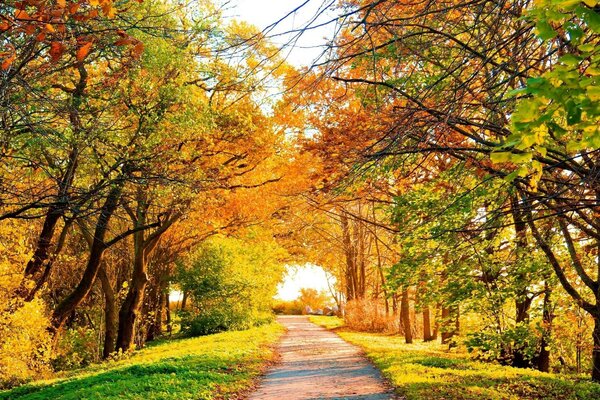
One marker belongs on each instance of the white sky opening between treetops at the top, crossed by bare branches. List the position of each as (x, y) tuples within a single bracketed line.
[(263, 13)]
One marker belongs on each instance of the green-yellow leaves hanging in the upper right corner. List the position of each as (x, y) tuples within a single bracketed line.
[(564, 100)]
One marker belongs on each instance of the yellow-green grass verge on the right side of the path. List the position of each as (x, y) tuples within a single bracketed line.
[(427, 371)]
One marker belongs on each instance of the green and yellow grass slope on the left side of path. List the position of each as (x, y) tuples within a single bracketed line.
[(208, 367)]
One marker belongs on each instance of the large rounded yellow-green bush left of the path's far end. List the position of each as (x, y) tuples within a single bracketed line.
[(230, 285)]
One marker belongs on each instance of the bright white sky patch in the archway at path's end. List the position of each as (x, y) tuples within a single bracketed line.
[(299, 277)]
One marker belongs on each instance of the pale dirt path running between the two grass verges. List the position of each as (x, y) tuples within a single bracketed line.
[(318, 364)]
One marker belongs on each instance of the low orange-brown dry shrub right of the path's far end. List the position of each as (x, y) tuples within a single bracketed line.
[(369, 316)]
